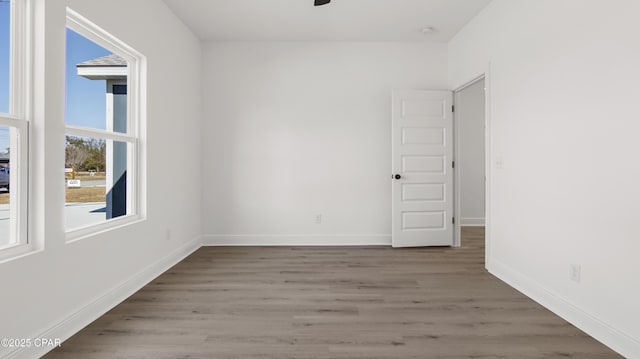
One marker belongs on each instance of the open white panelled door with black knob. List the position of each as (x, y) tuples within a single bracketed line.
[(422, 179)]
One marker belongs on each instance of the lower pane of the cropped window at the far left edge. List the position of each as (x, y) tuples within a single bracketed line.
[(6, 239)]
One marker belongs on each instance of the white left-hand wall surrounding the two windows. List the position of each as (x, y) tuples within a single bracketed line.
[(57, 290)]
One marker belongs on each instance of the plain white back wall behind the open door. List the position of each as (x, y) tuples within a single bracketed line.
[(295, 130)]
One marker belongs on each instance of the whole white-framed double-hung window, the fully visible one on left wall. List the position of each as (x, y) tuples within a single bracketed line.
[(102, 129)]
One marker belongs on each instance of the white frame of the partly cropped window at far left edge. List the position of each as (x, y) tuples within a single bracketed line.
[(18, 119)]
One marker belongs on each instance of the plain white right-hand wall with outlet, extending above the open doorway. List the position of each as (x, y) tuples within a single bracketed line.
[(563, 100)]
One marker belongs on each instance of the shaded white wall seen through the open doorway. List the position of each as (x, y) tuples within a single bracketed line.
[(470, 115)]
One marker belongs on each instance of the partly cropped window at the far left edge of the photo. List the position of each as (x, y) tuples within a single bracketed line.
[(13, 129)]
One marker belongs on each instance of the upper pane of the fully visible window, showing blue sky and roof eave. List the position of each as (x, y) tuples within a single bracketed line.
[(96, 86)]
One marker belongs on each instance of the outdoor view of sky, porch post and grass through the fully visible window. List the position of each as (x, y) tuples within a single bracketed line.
[(100, 141)]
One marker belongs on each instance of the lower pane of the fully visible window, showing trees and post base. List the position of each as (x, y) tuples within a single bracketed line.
[(96, 181)]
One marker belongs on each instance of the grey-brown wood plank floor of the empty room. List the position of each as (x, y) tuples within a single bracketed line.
[(317, 302)]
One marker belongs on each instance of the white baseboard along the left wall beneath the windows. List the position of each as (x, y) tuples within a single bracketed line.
[(94, 310)]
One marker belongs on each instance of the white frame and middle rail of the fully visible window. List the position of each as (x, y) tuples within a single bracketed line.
[(136, 63)]
